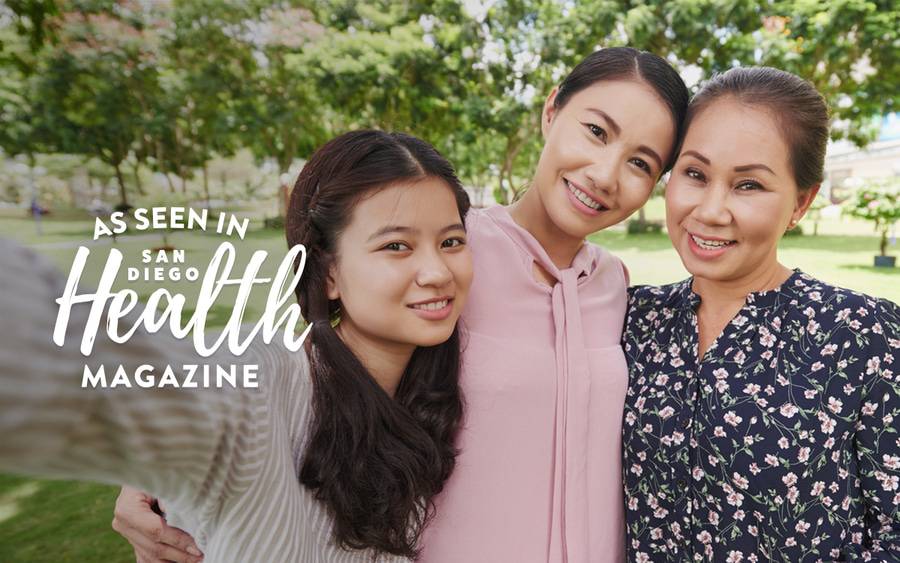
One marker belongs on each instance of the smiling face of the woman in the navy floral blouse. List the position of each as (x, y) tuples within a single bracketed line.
[(732, 193)]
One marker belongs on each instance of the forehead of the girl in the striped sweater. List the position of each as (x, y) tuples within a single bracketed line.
[(407, 203)]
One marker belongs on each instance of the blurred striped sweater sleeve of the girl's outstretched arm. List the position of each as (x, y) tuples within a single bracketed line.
[(185, 445)]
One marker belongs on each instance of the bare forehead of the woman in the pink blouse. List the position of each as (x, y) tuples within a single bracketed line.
[(634, 105)]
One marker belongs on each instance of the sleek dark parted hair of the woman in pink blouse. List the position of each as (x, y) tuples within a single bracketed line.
[(625, 63)]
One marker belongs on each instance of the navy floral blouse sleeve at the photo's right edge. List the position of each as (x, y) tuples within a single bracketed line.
[(878, 441)]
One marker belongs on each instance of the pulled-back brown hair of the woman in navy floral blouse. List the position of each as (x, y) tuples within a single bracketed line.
[(799, 109)]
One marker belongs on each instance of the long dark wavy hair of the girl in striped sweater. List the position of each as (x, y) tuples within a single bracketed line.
[(375, 462)]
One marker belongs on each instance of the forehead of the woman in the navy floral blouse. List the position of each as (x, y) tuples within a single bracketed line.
[(732, 133)]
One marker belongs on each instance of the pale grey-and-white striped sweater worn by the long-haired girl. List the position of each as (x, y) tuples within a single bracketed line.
[(224, 461)]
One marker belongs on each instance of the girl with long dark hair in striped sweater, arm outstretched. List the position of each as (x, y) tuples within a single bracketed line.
[(340, 453)]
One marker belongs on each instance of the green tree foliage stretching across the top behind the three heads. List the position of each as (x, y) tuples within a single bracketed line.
[(173, 85)]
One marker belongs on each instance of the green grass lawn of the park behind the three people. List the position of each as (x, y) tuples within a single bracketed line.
[(53, 521)]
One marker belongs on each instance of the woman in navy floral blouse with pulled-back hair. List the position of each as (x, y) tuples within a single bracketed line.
[(761, 419)]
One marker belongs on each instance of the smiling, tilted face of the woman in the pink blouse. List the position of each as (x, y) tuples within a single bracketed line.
[(603, 153)]
